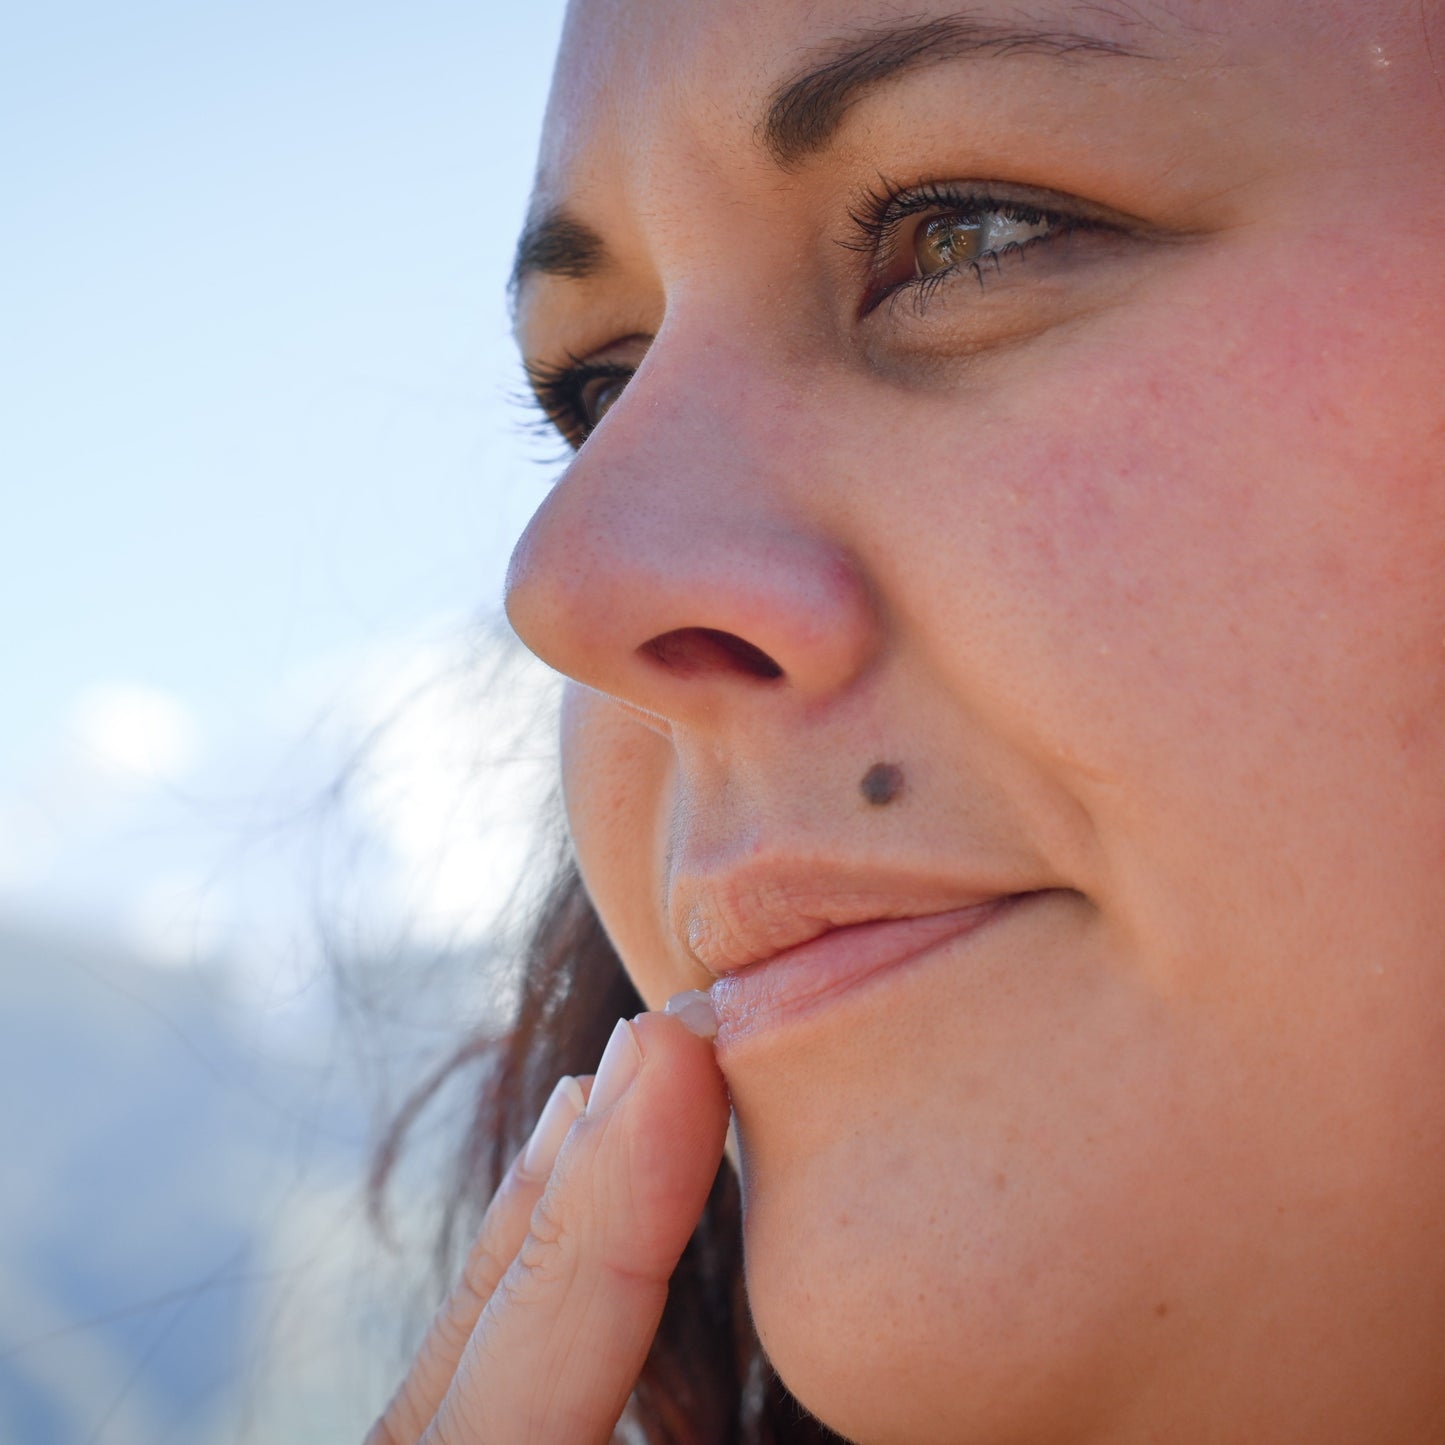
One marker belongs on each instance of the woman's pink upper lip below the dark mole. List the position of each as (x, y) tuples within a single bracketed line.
[(767, 908)]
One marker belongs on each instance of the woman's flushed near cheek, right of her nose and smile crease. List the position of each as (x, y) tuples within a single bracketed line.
[(1212, 598)]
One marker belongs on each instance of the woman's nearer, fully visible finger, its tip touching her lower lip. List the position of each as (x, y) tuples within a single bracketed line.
[(561, 1342)]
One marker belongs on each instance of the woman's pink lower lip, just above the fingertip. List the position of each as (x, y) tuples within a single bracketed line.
[(806, 979)]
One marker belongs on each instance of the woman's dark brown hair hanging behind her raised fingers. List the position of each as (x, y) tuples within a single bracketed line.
[(706, 1381)]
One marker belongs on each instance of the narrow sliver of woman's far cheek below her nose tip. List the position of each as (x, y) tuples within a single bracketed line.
[(618, 788)]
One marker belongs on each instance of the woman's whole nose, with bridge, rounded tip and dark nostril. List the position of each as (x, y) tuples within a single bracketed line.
[(686, 563)]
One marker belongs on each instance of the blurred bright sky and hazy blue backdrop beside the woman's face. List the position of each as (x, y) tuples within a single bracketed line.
[(268, 765)]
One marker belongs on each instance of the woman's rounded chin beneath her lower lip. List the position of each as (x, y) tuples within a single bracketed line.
[(970, 1251)]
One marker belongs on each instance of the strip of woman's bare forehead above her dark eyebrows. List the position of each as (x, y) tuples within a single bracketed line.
[(634, 70)]
